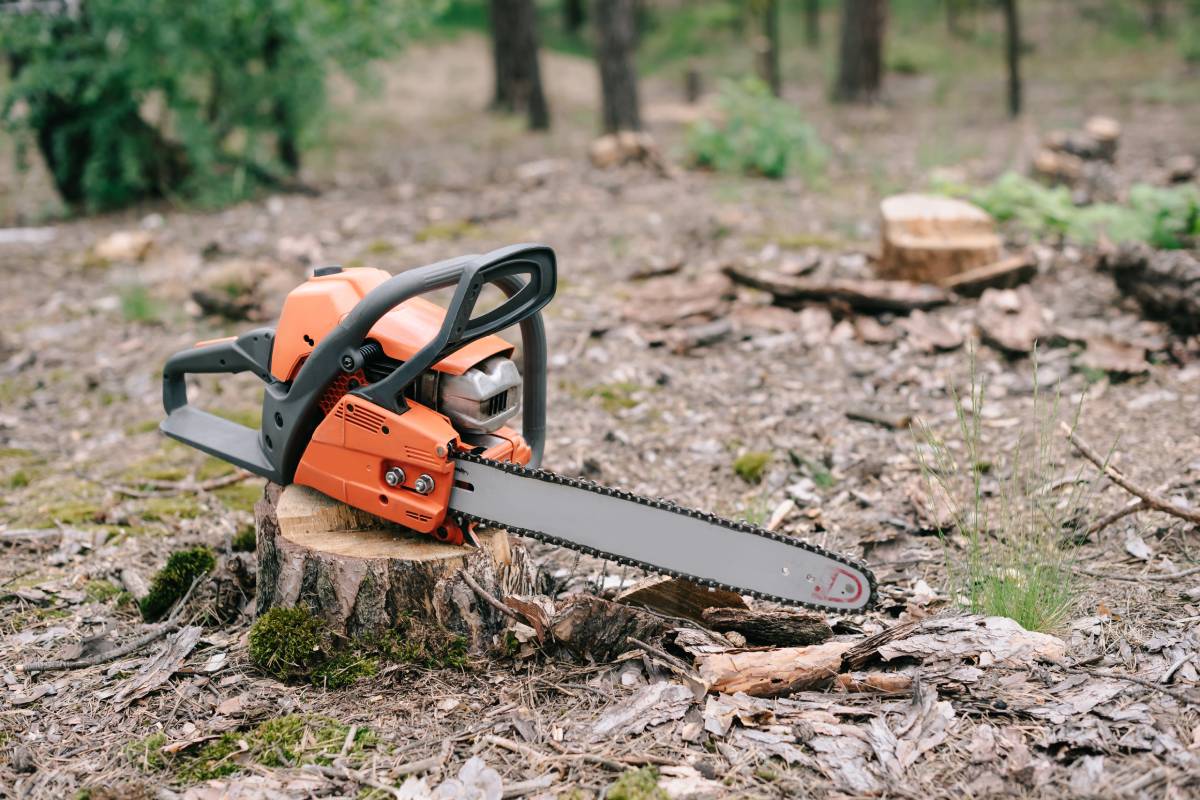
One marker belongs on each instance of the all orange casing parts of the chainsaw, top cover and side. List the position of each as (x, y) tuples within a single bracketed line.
[(358, 442)]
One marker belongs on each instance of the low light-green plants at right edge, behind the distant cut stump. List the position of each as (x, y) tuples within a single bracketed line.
[(1167, 218)]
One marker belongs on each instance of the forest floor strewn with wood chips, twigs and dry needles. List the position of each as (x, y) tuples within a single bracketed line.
[(419, 175)]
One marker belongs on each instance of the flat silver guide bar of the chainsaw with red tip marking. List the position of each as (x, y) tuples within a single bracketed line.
[(812, 576)]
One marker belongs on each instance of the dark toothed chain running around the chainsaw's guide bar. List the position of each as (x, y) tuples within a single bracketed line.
[(667, 506)]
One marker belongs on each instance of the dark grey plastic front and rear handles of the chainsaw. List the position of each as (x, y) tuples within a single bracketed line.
[(526, 274)]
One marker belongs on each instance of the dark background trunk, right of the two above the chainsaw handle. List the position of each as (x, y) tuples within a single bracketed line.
[(616, 39)]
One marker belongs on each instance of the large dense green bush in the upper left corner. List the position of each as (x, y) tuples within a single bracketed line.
[(130, 100)]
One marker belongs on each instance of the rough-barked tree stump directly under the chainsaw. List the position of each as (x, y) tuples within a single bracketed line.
[(364, 576)]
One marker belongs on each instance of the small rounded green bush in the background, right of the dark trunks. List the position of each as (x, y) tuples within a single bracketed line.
[(758, 134)]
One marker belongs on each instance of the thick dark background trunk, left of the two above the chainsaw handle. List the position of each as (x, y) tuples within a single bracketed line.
[(515, 58)]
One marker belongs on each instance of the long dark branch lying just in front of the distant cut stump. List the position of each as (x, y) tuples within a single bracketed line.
[(865, 296)]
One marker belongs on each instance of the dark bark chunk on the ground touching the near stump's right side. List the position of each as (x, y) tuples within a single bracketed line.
[(597, 629)]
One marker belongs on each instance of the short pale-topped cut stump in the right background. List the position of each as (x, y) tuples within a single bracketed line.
[(929, 238)]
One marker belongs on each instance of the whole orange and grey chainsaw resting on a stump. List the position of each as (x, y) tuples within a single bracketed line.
[(383, 400)]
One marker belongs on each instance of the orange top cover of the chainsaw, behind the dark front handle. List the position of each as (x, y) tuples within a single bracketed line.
[(317, 305)]
